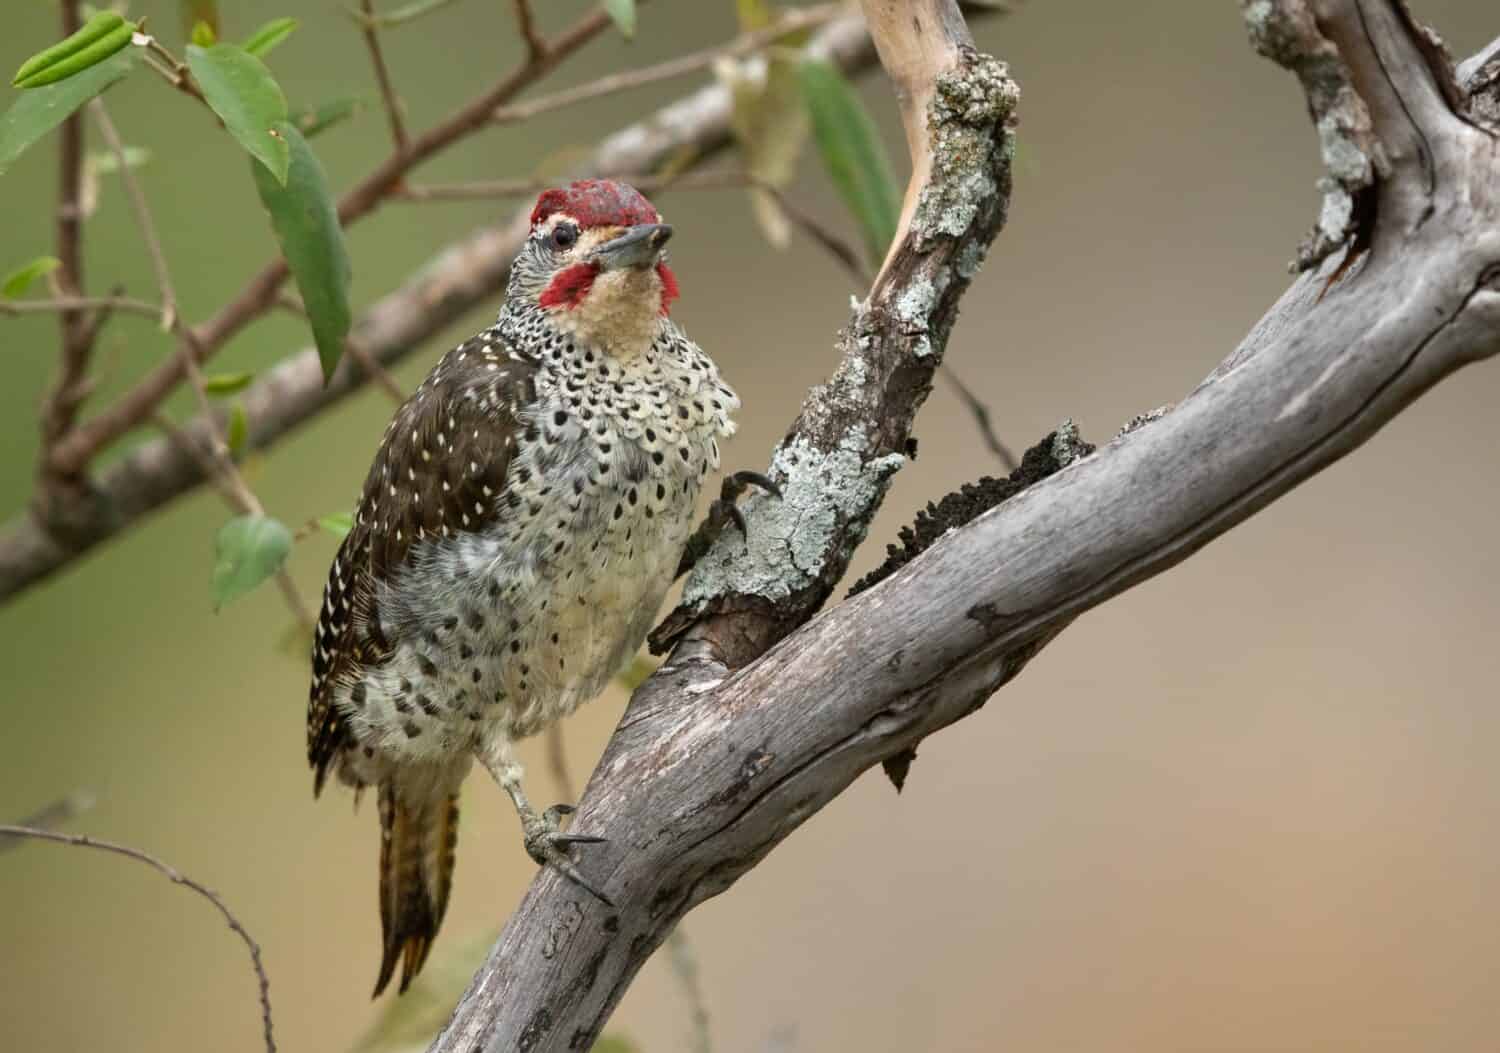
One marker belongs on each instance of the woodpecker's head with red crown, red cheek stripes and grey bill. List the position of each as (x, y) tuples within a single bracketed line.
[(596, 266)]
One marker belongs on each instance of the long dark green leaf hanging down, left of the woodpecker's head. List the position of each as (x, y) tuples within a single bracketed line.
[(307, 226)]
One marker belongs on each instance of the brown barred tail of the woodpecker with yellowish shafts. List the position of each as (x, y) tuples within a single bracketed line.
[(419, 836)]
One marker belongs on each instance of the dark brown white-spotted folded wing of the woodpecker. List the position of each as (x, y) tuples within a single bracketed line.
[(439, 472)]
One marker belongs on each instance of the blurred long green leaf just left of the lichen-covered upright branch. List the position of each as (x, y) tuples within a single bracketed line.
[(853, 154)]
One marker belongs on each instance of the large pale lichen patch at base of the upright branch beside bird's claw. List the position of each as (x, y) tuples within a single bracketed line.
[(790, 538)]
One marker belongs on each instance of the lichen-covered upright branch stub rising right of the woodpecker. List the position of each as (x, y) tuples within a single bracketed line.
[(836, 461)]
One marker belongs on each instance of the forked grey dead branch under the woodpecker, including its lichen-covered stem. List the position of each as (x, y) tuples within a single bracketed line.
[(758, 719)]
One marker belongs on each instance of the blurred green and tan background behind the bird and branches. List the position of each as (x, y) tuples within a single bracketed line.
[(1249, 806)]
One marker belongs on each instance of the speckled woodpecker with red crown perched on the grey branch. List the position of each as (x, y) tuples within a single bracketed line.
[(526, 514)]
